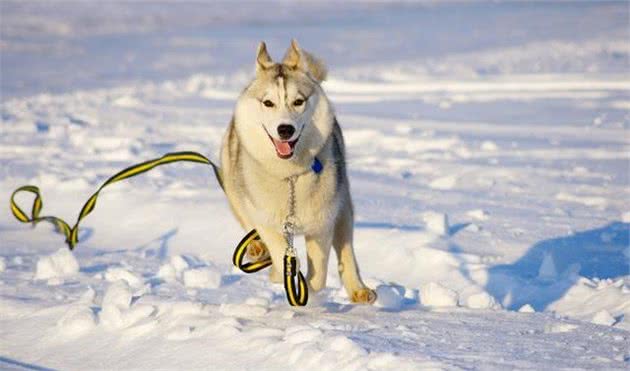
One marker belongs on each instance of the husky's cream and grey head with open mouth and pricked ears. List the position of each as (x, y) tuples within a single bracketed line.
[(283, 114)]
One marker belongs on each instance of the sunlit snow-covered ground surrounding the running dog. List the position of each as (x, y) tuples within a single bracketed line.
[(489, 159)]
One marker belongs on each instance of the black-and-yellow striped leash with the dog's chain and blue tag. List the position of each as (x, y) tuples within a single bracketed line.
[(295, 296)]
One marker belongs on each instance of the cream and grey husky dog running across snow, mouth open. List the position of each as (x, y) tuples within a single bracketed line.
[(283, 124)]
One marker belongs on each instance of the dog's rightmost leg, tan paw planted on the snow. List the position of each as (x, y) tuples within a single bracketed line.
[(347, 264)]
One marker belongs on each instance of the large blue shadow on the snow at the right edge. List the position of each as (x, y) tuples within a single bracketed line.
[(550, 267)]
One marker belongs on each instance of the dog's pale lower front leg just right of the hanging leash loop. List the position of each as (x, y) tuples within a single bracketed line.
[(318, 251)]
